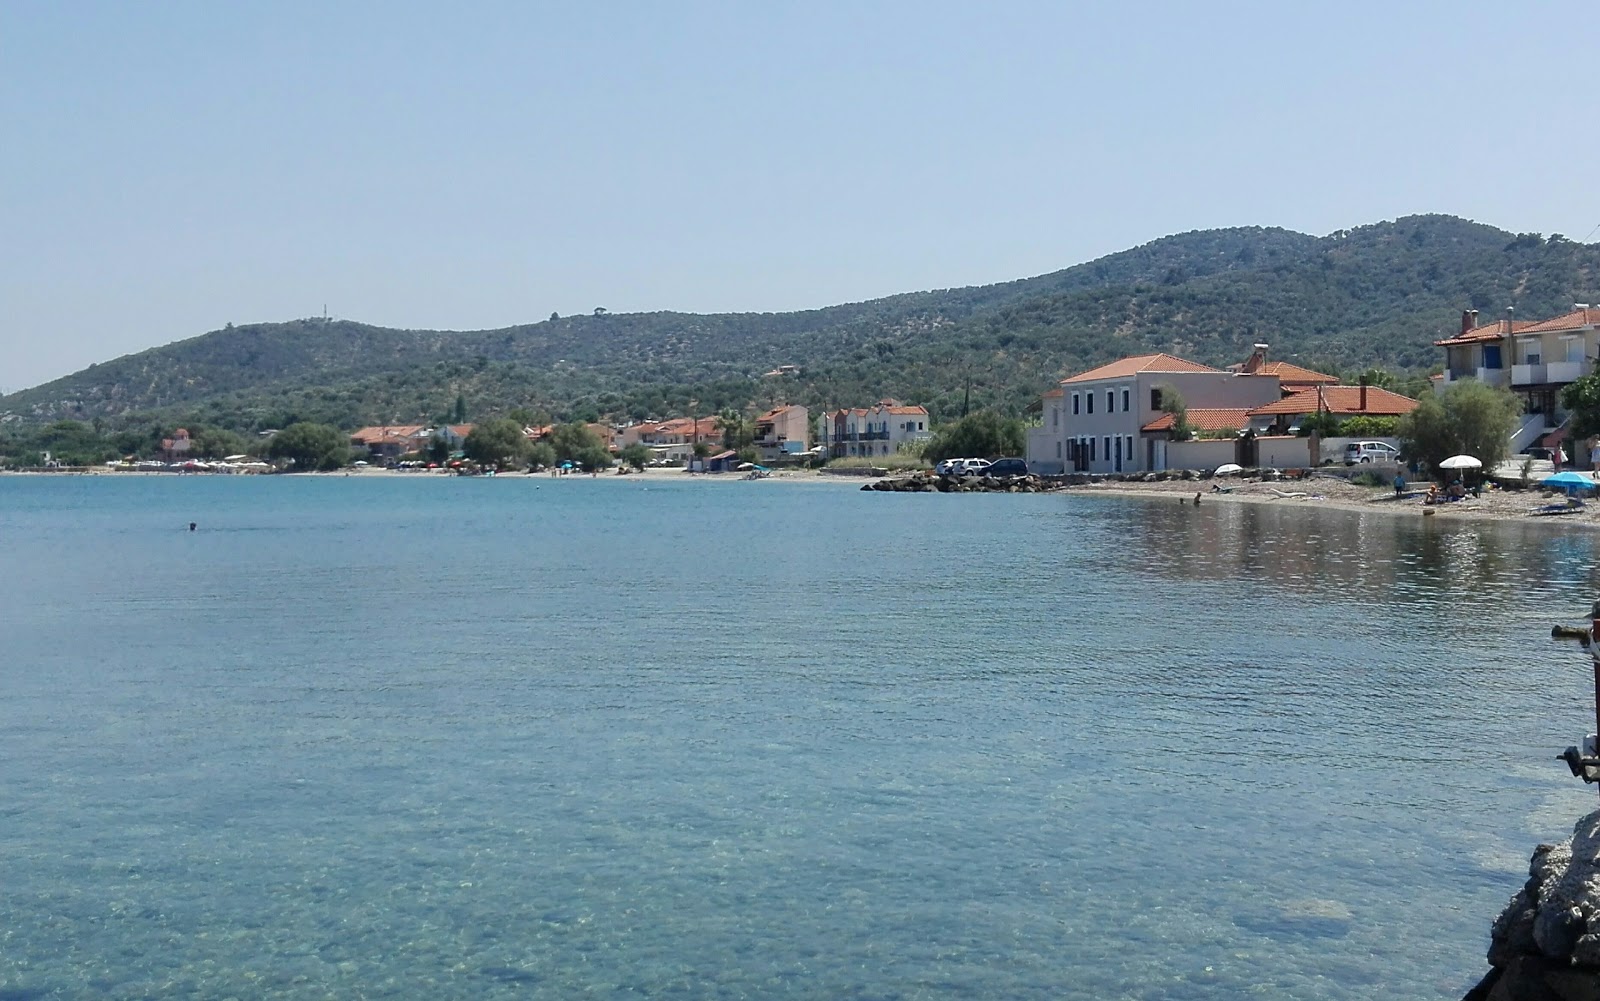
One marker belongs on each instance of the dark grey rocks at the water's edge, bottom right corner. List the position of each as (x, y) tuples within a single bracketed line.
[(1546, 944)]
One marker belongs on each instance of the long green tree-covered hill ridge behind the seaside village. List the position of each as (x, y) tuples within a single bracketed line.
[(1372, 297)]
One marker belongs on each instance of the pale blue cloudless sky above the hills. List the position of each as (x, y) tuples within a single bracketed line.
[(172, 167)]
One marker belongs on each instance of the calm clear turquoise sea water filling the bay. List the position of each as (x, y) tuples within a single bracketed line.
[(426, 738)]
